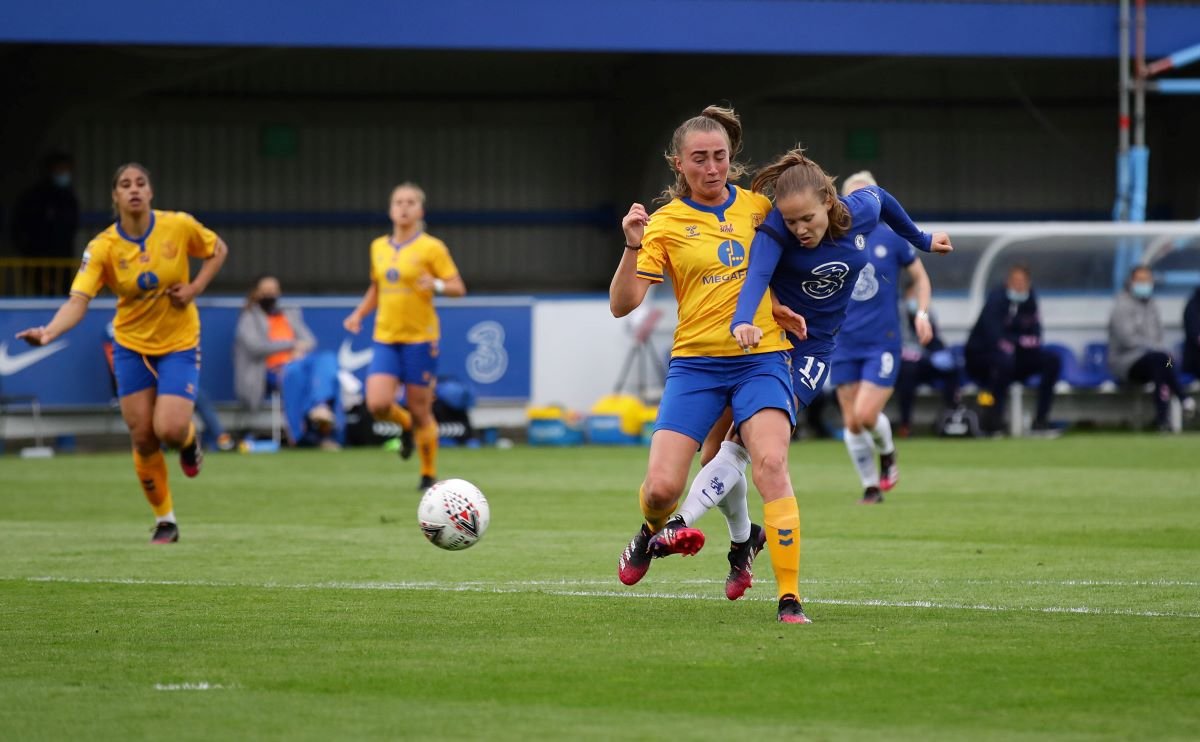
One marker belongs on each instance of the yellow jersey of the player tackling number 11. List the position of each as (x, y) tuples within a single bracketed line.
[(706, 252)]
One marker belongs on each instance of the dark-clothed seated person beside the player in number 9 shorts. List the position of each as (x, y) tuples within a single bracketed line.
[(929, 364)]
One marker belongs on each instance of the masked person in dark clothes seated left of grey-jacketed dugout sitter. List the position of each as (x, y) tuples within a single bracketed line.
[(1005, 346)]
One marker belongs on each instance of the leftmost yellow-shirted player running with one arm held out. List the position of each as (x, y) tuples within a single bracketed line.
[(143, 259)]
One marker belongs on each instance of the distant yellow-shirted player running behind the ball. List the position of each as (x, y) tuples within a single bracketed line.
[(409, 270)]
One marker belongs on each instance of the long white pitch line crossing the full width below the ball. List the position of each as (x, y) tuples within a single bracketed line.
[(542, 588)]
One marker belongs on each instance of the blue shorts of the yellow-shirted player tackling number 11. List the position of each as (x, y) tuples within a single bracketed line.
[(699, 391)]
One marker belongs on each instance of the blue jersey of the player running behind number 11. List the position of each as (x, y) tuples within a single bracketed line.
[(873, 318)]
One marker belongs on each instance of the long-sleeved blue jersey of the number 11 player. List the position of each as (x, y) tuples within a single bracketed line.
[(817, 283)]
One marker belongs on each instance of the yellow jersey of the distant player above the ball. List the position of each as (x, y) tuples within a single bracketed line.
[(405, 313)]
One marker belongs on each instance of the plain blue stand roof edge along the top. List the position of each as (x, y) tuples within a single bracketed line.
[(919, 28)]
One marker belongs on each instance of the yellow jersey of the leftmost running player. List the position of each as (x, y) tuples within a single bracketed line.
[(140, 272)]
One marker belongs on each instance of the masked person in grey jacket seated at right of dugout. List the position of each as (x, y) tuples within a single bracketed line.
[(1138, 352)]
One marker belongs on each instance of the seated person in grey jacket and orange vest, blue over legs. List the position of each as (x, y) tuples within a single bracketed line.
[(274, 350)]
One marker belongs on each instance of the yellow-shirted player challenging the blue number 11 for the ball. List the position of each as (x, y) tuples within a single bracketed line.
[(701, 241)]
